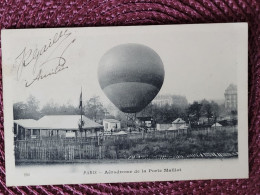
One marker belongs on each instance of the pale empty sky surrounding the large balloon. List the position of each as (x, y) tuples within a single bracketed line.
[(199, 60)]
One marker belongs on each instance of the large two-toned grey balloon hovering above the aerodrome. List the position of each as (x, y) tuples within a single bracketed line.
[(131, 75)]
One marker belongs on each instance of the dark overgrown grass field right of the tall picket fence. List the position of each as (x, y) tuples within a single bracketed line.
[(186, 145)]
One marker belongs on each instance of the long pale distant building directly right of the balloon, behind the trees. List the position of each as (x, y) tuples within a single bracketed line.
[(162, 100)]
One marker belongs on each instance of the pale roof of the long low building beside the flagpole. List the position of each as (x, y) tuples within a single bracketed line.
[(69, 122)]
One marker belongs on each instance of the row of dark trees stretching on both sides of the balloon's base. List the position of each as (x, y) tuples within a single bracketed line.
[(95, 110)]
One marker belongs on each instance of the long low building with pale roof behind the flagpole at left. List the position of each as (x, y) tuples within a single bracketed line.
[(60, 126)]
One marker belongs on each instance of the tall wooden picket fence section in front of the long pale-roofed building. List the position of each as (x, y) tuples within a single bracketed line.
[(58, 149)]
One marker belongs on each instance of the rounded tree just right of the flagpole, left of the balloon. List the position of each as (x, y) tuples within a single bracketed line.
[(94, 108)]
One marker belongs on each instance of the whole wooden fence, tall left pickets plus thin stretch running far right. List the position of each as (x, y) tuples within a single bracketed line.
[(69, 150)]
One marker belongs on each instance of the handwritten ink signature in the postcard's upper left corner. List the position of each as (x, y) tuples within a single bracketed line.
[(44, 61)]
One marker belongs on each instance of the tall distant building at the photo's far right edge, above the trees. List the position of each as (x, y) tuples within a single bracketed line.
[(231, 98)]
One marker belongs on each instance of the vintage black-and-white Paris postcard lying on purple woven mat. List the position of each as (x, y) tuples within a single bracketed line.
[(125, 104)]
